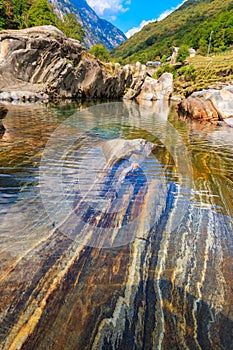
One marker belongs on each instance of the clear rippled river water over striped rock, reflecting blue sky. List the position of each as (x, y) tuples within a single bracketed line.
[(115, 229)]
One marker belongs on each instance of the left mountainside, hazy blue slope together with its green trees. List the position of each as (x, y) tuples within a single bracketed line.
[(73, 20)]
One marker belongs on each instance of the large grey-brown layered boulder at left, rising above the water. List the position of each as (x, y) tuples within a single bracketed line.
[(43, 63)]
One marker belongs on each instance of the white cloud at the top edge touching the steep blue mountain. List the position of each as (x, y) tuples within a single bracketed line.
[(105, 8)]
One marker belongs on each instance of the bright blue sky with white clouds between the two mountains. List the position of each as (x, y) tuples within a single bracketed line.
[(131, 15)]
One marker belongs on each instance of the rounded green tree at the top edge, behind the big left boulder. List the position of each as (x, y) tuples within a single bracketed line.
[(41, 13)]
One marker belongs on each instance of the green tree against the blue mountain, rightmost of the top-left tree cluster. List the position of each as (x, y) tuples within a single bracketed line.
[(71, 27)]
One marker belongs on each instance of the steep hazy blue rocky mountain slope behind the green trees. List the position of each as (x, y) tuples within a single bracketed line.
[(97, 29)]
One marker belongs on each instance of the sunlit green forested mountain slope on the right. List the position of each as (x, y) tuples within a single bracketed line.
[(190, 25)]
